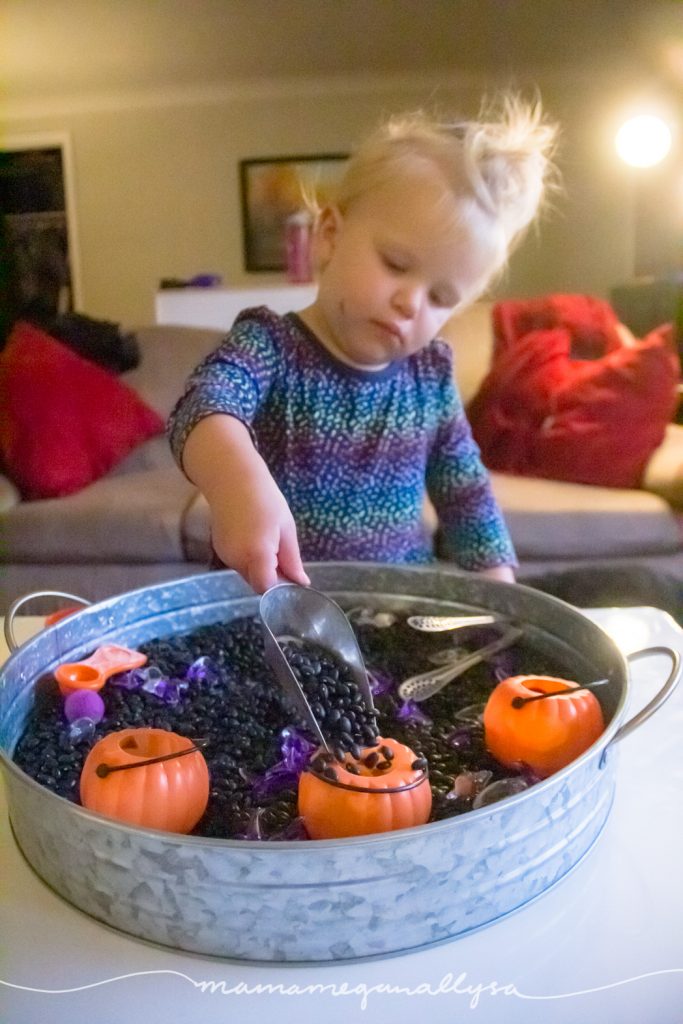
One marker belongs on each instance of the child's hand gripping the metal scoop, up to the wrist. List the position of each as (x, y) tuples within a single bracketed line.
[(253, 532)]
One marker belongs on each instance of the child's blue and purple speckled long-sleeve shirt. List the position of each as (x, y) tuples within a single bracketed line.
[(353, 451)]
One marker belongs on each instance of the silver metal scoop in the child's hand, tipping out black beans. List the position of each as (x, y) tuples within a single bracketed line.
[(289, 612)]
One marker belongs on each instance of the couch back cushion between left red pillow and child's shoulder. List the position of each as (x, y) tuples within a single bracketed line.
[(168, 356)]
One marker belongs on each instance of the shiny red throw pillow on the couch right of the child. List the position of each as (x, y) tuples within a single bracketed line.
[(542, 413)]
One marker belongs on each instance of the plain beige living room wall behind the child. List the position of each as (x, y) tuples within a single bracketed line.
[(157, 188)]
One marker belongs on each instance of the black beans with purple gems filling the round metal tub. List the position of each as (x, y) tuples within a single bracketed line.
[(214, 686)]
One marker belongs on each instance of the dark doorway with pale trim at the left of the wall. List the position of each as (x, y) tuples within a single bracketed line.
[(37, 200)]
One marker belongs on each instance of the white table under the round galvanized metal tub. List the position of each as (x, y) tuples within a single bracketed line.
[(605, 947)]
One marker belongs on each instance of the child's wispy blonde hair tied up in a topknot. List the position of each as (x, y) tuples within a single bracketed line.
[(499, 165)]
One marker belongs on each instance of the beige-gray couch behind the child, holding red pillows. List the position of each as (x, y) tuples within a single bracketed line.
[(146, 524)]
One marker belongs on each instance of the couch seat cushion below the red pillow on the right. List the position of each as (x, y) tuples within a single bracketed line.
[(553, 520)]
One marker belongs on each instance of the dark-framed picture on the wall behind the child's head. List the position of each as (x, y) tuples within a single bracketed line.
[(272, 190)]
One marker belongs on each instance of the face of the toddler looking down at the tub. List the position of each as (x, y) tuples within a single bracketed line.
[(395, 268)]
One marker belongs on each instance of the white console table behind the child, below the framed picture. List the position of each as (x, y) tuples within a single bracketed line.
[(218, 308)]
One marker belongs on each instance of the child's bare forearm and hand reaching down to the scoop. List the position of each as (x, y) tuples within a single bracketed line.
[(252, 529)]
